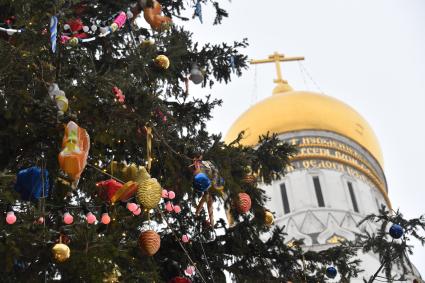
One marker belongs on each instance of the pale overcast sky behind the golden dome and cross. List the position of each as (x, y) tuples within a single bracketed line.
[(369, 54)]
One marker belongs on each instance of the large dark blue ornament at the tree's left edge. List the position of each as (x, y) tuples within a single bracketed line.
[(32, 183)]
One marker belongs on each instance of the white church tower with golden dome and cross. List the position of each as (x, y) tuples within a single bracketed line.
[(337, 177)]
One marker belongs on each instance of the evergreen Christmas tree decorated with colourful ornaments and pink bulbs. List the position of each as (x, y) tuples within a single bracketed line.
[(107, 170)]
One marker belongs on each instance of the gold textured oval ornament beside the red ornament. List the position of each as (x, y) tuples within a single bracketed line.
[(149, 193)]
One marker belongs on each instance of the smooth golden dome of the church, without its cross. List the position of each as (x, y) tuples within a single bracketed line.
[(288, 111)]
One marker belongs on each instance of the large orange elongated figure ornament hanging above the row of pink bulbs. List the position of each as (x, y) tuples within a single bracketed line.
[(75, 149)]
